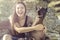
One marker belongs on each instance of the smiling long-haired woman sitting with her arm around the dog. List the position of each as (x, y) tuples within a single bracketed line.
[(21, 24)]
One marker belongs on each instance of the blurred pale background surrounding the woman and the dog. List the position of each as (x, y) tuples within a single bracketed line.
[(51, 20)]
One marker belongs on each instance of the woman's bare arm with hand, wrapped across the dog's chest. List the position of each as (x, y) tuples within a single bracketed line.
[(27, 29)]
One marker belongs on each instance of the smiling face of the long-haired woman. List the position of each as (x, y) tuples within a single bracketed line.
[(20, 10)]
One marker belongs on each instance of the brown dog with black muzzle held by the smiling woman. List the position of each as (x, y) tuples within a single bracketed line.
[(39, 35)]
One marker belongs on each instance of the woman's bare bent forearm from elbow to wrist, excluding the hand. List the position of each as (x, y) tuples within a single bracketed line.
[(20, 29)]
